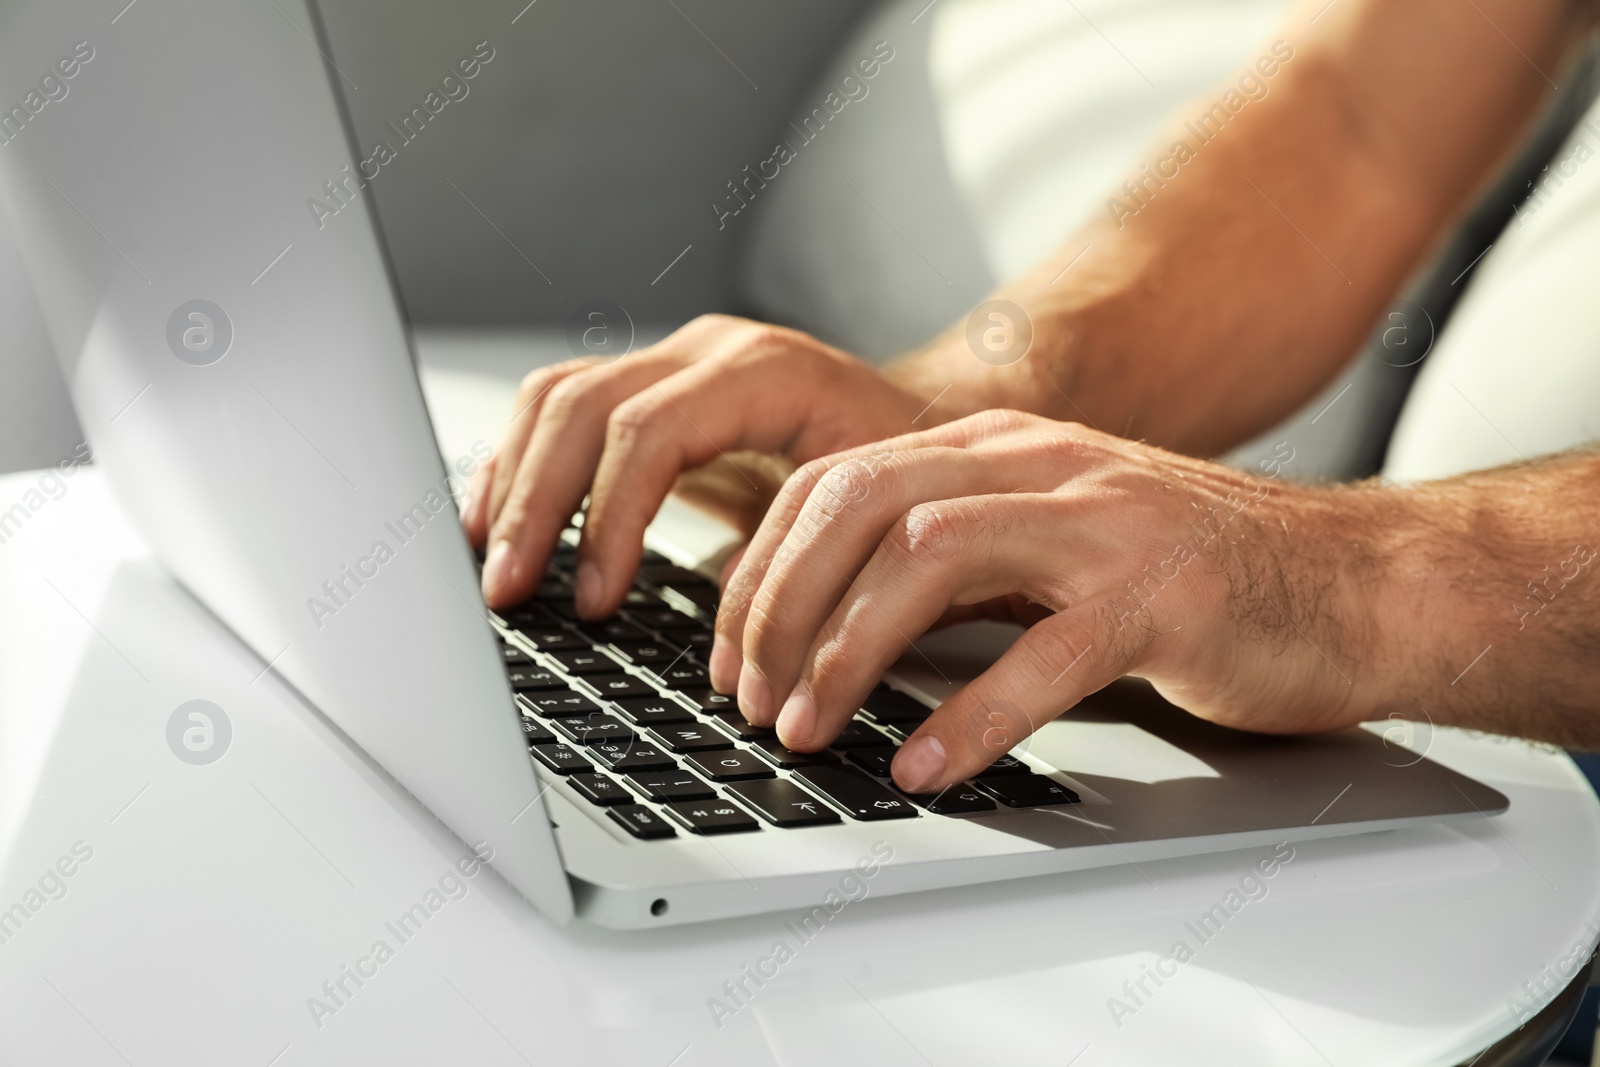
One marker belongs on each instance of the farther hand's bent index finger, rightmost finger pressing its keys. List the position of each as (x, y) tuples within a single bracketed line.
[(751, 396)]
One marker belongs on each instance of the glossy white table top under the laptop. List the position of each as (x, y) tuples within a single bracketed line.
[(220, 898)]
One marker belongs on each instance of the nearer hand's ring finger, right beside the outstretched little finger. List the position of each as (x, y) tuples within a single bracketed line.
[(938, 556)]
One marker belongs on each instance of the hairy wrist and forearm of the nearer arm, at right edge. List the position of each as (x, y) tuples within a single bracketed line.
[(1489, 612)]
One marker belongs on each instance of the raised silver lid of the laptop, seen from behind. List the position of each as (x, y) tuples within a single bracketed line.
[(247, 383)]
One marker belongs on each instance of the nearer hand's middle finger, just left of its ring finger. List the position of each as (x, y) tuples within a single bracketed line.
[(860, 510)]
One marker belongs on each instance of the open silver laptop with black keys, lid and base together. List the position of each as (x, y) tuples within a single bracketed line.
[(194, 214)]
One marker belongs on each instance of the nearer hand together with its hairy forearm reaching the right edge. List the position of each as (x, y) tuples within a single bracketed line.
[(1242, 597)]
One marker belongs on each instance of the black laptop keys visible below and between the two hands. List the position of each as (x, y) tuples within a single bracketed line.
[(623, 713)]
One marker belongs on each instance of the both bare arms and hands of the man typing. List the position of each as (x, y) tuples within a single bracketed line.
[(951, 489)]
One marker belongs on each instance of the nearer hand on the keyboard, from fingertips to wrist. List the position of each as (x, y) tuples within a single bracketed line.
[(1230, 591)]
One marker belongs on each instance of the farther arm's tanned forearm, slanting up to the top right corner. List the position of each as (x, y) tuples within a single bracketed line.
[(1220, 298)]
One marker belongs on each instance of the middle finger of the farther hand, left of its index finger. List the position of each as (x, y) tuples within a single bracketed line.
[(556, 470)]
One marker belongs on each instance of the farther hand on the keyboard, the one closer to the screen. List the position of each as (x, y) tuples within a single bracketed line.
[(623, 433)]
